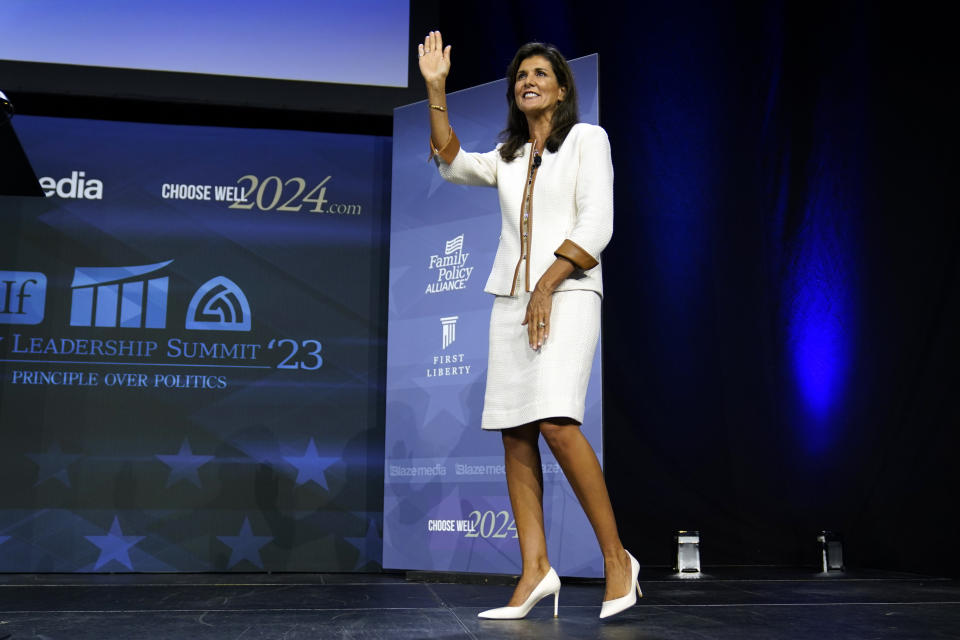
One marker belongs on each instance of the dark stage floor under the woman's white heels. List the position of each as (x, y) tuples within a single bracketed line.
[(728, 602)]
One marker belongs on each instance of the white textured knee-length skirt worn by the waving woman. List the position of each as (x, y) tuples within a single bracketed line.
[(524, 385)]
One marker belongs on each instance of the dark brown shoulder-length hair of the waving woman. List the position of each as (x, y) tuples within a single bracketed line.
[(566, 115)]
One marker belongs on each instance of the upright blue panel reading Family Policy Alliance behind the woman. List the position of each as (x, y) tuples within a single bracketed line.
[(446, 506)]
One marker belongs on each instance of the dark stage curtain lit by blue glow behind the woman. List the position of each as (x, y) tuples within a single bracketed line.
[(782, 288)]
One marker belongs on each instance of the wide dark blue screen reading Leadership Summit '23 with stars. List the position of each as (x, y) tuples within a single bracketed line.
[(191, 344)]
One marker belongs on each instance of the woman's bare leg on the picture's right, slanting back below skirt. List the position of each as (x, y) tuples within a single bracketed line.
[(580, 465)]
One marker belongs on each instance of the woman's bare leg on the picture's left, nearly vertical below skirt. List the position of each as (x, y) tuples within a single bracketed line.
[(521, 454)]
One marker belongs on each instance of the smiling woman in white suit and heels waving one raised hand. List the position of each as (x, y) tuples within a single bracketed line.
[(546, 316)]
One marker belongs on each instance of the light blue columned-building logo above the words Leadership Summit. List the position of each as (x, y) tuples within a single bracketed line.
[(119, 297)]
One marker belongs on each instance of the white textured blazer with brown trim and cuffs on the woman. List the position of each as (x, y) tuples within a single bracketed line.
[(571, 209)]
